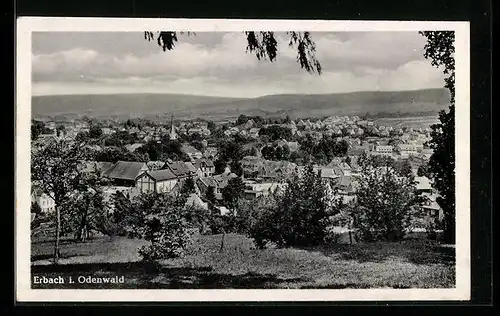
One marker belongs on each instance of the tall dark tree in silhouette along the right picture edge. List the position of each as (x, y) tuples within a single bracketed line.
[(440, 49)]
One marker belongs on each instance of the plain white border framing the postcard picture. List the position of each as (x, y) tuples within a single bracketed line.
[(26, 25)]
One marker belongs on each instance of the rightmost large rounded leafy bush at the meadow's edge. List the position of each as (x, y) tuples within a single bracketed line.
[(386, 203)]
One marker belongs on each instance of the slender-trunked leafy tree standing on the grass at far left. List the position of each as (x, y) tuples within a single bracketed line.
[(55, 169)]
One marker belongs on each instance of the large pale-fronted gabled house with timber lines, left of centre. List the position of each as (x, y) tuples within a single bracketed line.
[(159, 181)]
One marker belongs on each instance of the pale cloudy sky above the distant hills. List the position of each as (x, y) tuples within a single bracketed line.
[(217, 64)]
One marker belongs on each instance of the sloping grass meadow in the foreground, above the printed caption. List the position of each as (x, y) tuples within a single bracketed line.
[(409, 264)]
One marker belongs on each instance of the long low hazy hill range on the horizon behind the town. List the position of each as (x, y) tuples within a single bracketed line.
[(382, 104)]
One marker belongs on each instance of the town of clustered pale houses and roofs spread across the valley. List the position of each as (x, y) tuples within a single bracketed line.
[(263, 170)]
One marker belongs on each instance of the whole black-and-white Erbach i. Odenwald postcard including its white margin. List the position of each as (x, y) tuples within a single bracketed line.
[(246, 156)]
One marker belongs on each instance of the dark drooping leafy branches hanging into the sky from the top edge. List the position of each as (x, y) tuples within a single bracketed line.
[(262, 44)]
